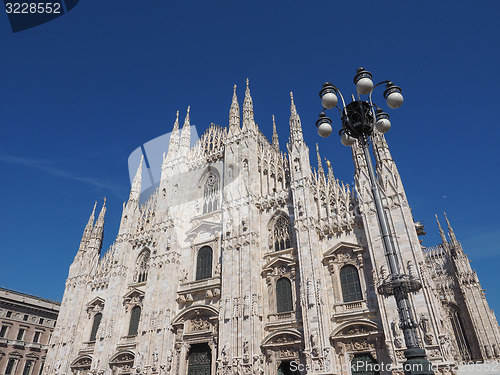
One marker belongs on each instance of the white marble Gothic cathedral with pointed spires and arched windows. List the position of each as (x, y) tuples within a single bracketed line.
[(245, 260)]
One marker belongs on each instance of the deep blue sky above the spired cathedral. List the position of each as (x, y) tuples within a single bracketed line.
[(80, 93)]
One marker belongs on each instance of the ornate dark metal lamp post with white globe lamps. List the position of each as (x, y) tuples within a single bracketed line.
[(360, 119)]
